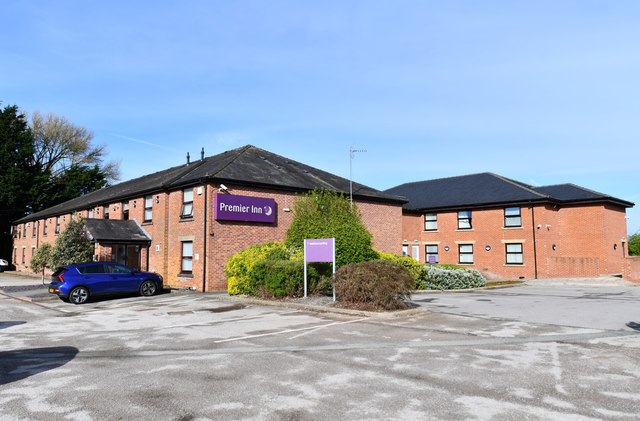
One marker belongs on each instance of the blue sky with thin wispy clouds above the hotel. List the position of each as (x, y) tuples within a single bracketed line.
[(545, 92)]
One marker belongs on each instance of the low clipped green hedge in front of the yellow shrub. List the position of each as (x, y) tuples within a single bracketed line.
[(281, 278)]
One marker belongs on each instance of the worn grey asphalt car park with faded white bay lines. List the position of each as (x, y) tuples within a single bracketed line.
[(202, 356)]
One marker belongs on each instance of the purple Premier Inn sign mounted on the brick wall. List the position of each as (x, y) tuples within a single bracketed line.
[(230, 207)]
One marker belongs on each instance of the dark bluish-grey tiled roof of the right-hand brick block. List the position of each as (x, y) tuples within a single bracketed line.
[(488, 189)]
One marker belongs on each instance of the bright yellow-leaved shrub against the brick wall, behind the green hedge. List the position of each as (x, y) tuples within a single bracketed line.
[(241, 264)]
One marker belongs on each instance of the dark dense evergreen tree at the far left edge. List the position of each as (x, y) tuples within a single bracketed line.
[(17, 172)]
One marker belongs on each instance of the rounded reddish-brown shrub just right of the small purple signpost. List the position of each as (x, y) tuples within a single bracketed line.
[(374, 285)]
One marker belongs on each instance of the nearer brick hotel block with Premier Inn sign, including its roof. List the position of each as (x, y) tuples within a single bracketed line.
[(169, 222)]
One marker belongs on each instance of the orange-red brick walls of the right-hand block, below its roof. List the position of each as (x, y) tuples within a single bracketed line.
[(583, 236)]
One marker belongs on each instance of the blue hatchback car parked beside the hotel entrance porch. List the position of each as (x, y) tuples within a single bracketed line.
[(76, 283)]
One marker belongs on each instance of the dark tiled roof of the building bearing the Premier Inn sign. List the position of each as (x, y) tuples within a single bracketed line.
[(248, 165)]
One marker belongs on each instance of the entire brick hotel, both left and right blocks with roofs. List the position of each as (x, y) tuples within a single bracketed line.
[(186, 221)]
